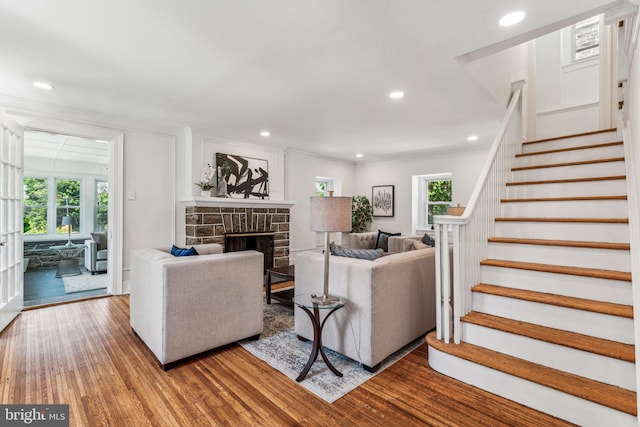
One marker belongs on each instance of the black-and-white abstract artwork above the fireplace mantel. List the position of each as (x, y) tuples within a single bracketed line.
[(246, 177)]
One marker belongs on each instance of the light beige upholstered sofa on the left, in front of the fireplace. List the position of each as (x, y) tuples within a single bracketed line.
[(182, 306)]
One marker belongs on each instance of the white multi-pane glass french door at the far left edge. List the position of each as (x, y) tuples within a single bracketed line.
[(11, 222)]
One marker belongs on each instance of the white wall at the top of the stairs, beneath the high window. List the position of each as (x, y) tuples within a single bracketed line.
[(566, 96)]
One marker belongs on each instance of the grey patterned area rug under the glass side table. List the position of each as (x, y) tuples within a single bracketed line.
[(280, 347)]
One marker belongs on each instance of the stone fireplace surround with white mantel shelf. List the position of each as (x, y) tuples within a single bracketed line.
[(209, 219)]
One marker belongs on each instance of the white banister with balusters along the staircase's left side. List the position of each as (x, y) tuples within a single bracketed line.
[(458, 273)]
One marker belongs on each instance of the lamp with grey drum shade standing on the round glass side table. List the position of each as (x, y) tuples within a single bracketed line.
[(329, 214)]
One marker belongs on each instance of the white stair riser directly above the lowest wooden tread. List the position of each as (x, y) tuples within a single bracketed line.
[(589, 365)]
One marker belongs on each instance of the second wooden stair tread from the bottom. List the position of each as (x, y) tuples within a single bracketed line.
[(603, 347)]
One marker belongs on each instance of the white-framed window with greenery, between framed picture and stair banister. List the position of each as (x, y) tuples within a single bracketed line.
[(432, 196)]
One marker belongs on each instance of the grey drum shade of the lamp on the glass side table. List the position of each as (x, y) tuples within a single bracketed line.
[(330, 213)]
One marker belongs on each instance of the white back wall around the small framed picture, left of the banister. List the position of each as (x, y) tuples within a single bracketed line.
[(465, 166)]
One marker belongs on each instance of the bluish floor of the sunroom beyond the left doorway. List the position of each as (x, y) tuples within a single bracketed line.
[(41, 287)]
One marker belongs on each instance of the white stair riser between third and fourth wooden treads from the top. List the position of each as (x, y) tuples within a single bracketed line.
[(567, 172)]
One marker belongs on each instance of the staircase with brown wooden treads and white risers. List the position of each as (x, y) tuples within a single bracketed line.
[(551, 323)]
